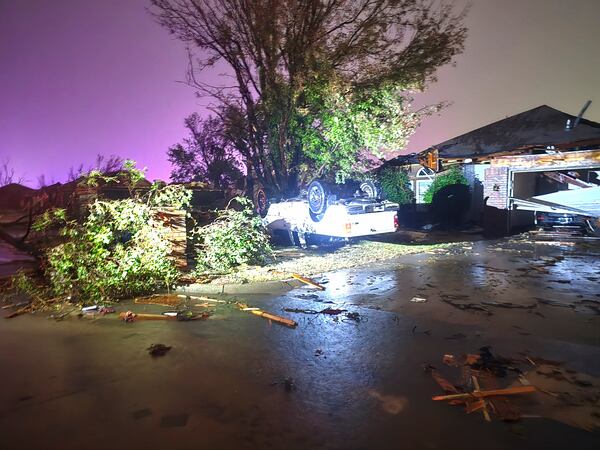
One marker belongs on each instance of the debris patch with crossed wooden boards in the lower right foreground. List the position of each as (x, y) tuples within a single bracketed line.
[(554, 392)]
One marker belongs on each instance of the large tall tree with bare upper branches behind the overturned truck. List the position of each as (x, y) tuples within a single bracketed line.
[(314, 86)]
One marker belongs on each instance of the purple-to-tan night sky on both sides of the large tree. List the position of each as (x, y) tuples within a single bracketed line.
[(82, 77)]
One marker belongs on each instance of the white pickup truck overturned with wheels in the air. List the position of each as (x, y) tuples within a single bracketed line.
[(319, 213)]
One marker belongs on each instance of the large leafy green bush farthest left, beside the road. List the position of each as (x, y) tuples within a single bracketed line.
[(120, 249)]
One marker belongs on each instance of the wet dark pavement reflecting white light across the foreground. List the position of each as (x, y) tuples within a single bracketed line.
[(239, 381)]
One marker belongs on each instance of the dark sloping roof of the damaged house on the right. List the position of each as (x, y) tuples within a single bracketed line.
[(538, 127)]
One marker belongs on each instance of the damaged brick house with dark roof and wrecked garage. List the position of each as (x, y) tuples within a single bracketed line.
[(542, 159)]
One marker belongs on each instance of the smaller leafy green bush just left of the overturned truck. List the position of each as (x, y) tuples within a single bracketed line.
[(235, 238)]
